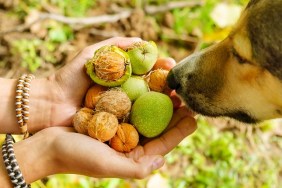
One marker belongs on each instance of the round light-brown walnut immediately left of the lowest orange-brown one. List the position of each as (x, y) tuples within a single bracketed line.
[(103, 126)]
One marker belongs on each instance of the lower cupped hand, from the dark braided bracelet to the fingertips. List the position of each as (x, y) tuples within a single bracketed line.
[(61, 150)]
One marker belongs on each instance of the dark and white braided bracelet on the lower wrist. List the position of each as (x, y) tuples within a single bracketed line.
[(11, 164)]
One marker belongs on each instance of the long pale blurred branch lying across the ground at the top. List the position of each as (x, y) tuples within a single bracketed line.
[(122, 14)]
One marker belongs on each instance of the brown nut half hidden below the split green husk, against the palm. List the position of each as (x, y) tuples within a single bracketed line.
[(92, 96)]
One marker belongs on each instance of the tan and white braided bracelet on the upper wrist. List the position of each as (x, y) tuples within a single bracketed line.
[(22, 101)]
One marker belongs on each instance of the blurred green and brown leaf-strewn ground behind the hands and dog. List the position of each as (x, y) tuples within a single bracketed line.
[(212, 157)]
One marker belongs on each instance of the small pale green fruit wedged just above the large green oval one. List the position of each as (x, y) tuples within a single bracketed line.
[(134, 87)]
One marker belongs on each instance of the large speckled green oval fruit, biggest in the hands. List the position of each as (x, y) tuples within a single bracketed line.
[(151, 113)]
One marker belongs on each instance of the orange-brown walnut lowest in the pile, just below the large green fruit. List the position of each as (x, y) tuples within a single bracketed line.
[(125, 139)]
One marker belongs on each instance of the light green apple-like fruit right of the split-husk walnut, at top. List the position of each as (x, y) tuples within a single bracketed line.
[(143, 55)]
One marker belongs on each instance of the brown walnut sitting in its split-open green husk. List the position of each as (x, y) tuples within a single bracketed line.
[(110, 66)]
